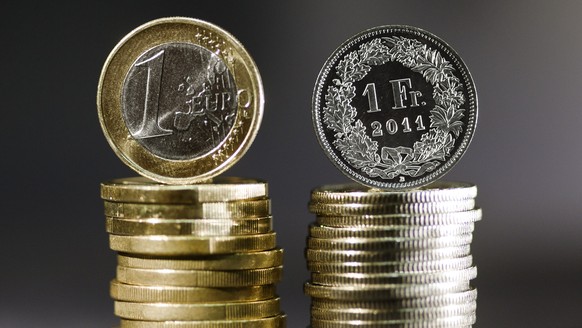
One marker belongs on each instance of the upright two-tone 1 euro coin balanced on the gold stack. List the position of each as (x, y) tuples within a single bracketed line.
[(179, 100)]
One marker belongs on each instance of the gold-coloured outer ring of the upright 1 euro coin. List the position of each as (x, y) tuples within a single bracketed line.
[(142, 160)]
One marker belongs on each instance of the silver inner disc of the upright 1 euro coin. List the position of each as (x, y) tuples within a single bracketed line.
[(195, 104)]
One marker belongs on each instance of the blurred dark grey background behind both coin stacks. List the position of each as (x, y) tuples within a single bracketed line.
[(525, 57)]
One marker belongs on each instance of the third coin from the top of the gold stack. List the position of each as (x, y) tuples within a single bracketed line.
[(192, 227)]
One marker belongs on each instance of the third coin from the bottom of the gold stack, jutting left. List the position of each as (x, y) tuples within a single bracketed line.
[(176, 294)]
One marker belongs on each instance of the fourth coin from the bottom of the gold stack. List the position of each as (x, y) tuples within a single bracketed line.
[(199, 278)]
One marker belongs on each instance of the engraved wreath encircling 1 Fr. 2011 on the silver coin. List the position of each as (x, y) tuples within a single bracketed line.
[(357, 148)]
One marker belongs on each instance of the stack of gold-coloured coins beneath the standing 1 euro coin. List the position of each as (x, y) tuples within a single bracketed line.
[(199, 255)]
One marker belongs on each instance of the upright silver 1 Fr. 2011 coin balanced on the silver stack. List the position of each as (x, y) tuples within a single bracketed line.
[(394, 107)]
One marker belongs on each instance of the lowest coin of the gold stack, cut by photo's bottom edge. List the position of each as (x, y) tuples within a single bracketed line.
[(278, 321)]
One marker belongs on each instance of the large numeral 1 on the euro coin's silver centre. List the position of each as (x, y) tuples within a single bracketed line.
[(150, 125)]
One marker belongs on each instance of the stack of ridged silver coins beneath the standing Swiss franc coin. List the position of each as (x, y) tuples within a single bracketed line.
[(392, 259)]
